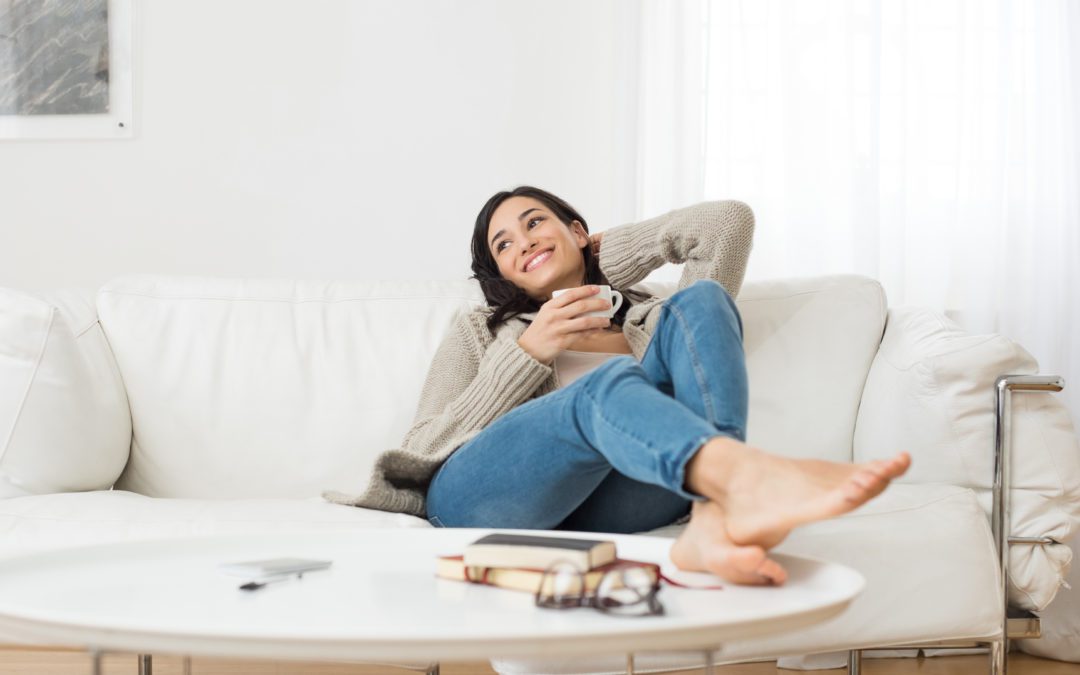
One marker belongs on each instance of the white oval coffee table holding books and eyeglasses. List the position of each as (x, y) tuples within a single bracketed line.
[(380, 602)]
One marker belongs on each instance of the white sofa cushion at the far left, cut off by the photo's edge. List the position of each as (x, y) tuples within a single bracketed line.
[(64, 420)]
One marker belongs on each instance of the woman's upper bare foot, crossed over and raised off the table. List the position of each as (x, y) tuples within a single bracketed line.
[(764, 496)]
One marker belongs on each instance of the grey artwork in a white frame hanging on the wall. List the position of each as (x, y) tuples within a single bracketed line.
[(66, 70)]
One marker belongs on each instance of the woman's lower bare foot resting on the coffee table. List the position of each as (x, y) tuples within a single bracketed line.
[(705, 546)]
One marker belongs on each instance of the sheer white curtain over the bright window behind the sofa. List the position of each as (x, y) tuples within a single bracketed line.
[(929, 144)]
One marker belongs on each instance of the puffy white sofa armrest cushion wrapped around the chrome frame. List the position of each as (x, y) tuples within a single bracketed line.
[(931, 390)]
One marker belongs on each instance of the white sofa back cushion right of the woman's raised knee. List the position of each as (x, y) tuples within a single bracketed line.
[(809, 345)]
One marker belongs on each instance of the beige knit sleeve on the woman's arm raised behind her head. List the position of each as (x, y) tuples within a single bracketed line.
[(712, 239)]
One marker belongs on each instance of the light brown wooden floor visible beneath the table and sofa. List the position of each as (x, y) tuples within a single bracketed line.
[(20, 661)]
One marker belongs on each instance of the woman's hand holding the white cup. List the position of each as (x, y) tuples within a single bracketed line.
[(559, 323)]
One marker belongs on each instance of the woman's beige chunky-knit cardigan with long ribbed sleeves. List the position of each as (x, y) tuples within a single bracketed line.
[(475, 379)]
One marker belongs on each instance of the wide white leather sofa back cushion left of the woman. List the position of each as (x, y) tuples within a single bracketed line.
[(271, 388)]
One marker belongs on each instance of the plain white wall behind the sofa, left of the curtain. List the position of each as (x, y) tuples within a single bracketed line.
[(328, 140)]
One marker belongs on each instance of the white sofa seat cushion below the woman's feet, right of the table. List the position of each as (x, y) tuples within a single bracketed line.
[(928, 558)]
